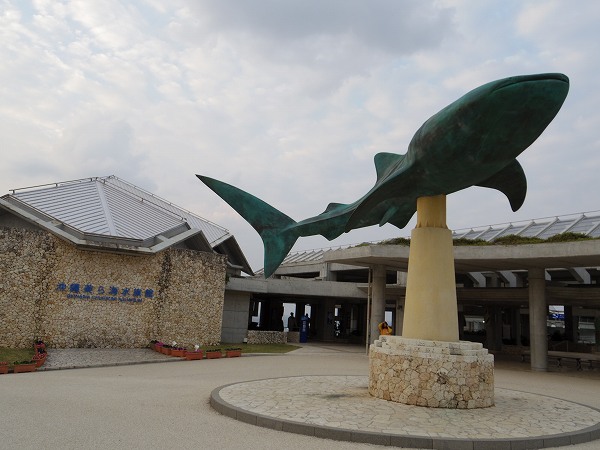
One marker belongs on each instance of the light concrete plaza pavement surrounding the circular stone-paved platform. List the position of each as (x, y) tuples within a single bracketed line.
[(166, 405)]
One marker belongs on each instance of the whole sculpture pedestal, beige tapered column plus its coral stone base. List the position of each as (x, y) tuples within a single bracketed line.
[(427, 365)]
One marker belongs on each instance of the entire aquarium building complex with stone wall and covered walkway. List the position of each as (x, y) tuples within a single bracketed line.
[(101, 263)]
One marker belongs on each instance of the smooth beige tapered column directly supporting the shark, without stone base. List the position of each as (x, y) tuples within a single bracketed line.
[(430, 309)]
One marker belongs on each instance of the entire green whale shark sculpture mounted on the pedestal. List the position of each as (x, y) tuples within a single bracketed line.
[(471, 142)]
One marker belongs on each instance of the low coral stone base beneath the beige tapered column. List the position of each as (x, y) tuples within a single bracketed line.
[(431, 373)]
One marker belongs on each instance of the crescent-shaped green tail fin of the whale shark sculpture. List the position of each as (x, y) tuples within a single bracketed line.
[(277, 231)]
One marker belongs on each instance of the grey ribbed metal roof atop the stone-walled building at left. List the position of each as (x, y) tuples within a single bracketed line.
[(110, 212)]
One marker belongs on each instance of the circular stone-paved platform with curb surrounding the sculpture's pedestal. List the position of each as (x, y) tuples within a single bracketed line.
[(340, 408)]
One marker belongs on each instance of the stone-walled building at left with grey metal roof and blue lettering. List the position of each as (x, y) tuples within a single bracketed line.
[(101, 263)]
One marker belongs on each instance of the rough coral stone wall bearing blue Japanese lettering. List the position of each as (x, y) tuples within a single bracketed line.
[(72, 298)]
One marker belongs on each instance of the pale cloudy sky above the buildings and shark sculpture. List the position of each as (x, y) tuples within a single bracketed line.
[(288, 100)]
